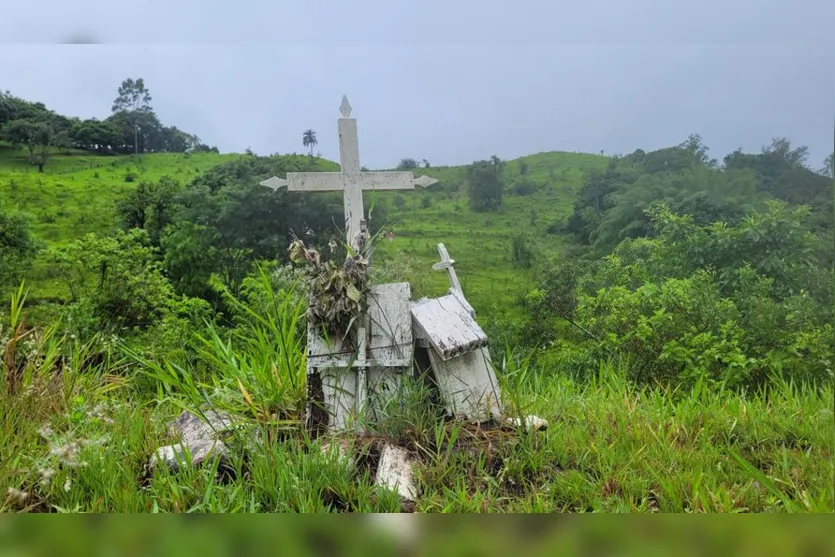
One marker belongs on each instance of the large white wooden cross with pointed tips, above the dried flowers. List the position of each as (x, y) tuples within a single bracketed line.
[(351, 180)]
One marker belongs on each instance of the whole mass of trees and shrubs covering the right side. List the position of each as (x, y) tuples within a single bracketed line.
[(688, 271)]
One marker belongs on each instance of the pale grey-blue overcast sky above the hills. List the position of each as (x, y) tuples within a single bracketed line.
[(447, 81)]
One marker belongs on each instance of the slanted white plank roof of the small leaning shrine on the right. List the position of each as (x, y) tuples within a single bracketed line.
[(448, 326)]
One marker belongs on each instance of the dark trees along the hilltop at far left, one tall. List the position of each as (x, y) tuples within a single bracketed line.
[(132, 127)]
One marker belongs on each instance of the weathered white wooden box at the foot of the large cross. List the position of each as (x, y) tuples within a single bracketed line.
[(390, 354)]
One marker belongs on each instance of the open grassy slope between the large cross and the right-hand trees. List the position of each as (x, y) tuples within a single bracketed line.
[(481, 243)]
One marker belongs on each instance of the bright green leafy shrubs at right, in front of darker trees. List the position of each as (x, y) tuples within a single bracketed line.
[(734, 305)]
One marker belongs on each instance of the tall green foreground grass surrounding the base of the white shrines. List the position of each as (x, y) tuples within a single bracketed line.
[(76, 433)]
